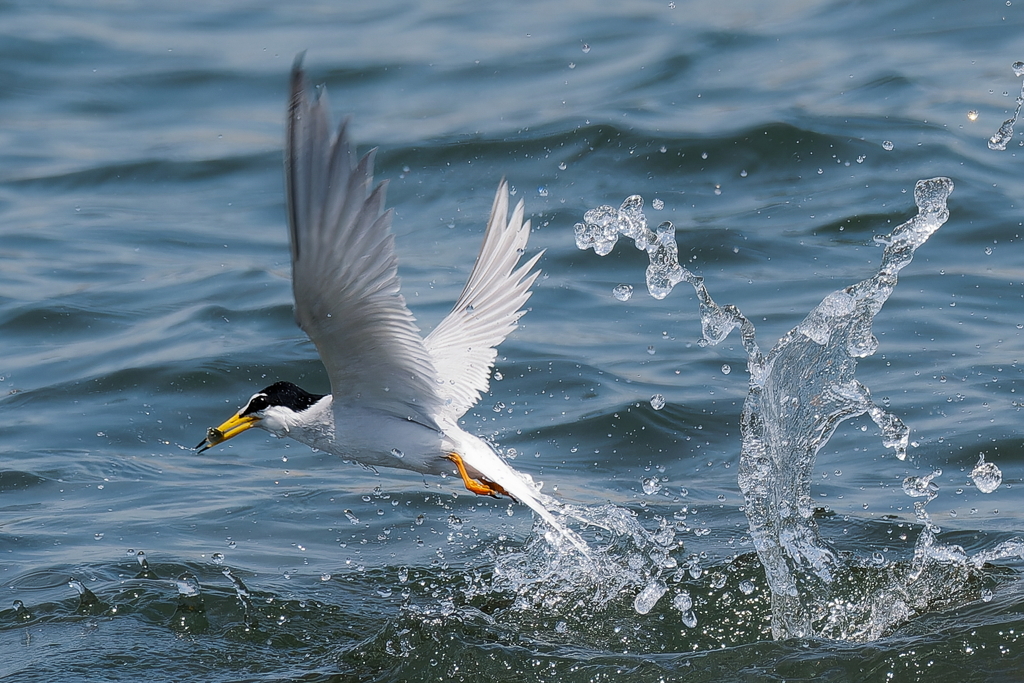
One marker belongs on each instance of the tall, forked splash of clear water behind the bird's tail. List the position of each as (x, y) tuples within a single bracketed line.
[(799, 394)]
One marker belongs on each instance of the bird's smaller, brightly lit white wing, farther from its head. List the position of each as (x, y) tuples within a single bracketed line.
[(463, 347)]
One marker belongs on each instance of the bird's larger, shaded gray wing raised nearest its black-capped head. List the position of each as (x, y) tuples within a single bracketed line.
[(345, 272)]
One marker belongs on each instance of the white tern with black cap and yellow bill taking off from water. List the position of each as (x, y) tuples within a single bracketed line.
[(396, 397)]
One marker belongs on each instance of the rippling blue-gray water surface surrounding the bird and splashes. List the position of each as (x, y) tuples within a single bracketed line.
[(145, 295)]
